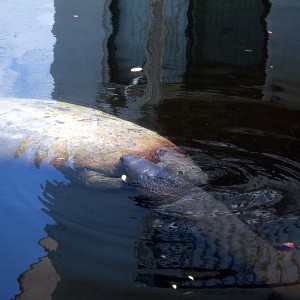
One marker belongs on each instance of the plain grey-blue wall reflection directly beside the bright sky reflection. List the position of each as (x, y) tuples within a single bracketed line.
[(79, 50)]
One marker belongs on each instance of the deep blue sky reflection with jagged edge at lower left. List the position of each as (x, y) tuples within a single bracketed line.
[(22, 218)]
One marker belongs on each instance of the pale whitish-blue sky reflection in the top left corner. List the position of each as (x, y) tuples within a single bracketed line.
[(26, 48)]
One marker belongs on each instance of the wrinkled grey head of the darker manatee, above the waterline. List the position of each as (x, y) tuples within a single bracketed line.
[(171, 194)]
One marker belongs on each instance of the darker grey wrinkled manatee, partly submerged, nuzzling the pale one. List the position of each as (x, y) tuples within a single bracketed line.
[(174, 196)]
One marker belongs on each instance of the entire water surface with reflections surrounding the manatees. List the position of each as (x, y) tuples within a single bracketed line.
[(220, 79)]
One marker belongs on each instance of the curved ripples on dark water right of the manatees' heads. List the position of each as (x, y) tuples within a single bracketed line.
[(264, 186)]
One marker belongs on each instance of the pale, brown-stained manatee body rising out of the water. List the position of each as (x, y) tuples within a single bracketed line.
[(72, 136)]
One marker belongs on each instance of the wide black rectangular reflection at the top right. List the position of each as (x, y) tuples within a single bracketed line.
[(227, 47)]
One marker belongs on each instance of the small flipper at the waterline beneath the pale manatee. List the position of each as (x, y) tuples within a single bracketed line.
[(96, 179)]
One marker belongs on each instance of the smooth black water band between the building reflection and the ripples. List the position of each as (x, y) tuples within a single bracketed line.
[(214, 118)]
